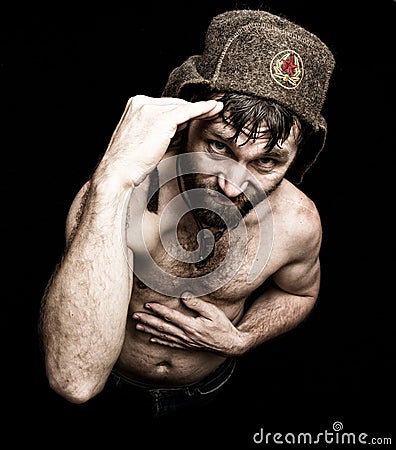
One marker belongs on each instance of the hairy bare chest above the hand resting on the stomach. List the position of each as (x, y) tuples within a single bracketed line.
[(226, 266)]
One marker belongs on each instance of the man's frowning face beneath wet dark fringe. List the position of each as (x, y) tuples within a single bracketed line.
[(242, 174)]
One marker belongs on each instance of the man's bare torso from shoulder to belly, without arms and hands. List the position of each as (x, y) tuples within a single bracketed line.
[(243, 260)]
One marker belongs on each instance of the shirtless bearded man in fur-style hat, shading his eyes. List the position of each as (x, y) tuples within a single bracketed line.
[(123, 304)]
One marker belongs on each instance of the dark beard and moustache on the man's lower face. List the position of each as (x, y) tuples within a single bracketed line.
[(213, 214)]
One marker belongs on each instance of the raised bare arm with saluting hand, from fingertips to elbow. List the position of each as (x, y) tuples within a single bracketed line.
[(84, 308)]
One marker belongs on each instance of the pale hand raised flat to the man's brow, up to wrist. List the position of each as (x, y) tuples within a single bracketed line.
[(143, 135)]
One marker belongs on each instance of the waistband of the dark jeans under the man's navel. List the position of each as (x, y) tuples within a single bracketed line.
[(215, 379)]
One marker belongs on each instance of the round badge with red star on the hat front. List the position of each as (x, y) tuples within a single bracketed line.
[(287, 69)]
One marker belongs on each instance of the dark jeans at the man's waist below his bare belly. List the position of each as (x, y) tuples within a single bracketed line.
[(164, 401)]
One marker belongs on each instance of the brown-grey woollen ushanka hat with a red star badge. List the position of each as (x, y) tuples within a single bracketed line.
[(255, 52)]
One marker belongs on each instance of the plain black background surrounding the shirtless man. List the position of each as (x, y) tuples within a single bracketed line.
[(66, 75)]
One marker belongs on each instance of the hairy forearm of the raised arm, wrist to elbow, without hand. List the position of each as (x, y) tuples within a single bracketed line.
[(85, 304)]
